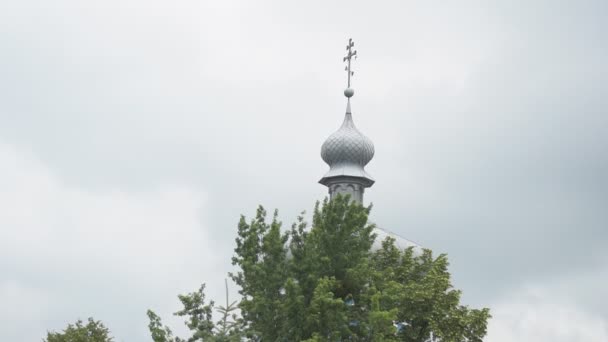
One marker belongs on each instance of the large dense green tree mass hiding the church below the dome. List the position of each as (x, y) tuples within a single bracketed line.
[(325, 283)]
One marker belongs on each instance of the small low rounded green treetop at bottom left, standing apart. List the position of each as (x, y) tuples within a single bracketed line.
[(92, 331)]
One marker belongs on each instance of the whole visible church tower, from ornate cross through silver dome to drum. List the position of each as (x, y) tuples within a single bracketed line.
[(347, 150)]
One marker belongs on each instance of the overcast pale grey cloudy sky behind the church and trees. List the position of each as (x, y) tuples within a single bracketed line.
[(134, 133)]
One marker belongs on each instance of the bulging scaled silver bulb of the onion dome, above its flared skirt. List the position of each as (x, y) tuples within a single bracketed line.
[(347, 146)]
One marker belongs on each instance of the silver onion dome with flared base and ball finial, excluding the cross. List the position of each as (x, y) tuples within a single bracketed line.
[(347, 150)]
